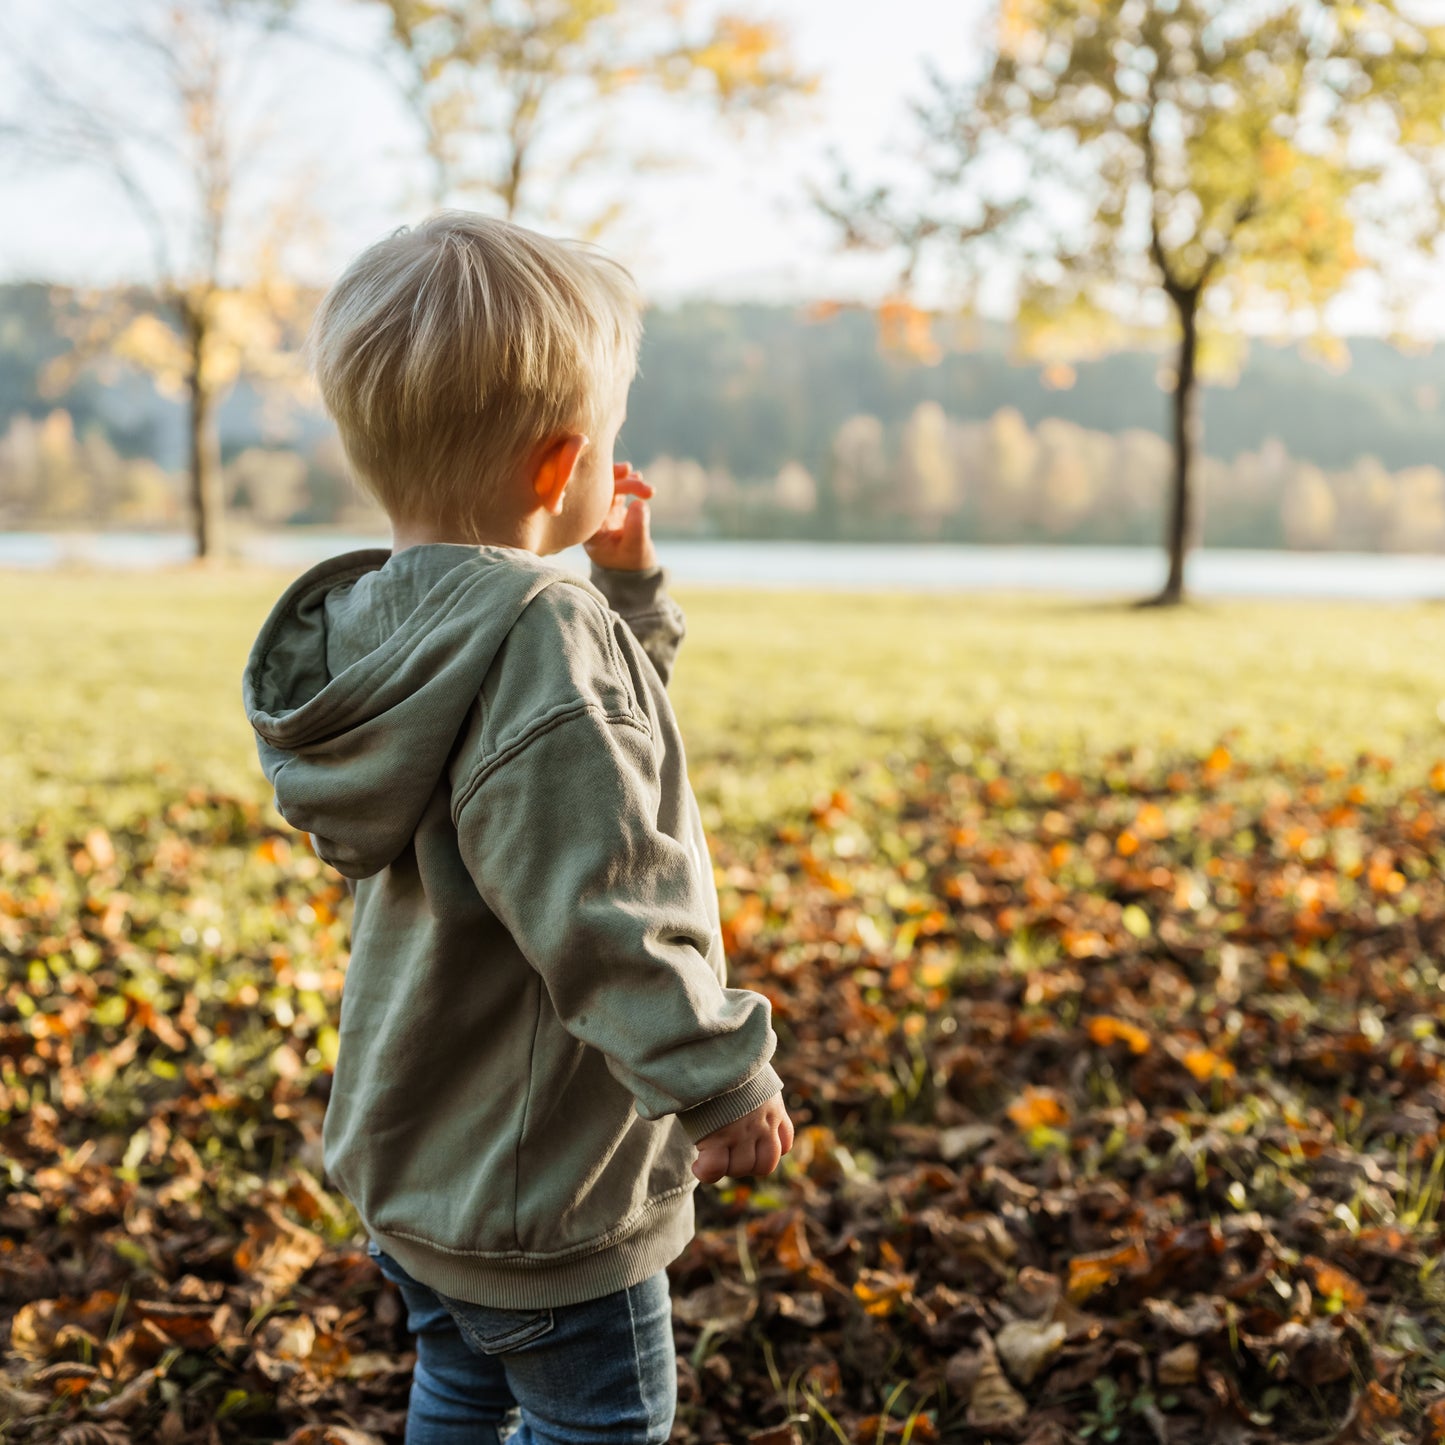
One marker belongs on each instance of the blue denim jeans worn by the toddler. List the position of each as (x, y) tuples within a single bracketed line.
[(602, 1372)]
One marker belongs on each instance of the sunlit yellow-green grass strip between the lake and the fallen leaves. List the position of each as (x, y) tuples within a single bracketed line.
[(112, 678)]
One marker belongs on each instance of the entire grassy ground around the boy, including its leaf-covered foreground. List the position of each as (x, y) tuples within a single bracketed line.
[(1103, 952)]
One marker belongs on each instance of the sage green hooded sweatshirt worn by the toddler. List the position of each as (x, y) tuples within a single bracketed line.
[(535, 1025)]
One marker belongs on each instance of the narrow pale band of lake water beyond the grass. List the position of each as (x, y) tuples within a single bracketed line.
[(1090, 571)]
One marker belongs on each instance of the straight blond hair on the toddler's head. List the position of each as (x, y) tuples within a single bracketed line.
[(449, 352)]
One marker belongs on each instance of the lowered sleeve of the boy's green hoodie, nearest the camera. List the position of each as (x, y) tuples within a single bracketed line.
[(560, 830)]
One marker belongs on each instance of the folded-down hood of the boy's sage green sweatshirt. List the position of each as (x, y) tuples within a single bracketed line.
[(362, 678)]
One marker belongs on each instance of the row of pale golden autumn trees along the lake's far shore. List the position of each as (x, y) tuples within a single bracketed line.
[(944, 480)]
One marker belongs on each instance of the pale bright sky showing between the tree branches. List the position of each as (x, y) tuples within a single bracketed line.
[(733, 223)]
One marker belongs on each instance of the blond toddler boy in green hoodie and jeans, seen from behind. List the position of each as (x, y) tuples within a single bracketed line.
[(540, 1057)]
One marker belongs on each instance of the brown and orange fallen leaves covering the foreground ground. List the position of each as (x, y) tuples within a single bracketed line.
[(1119, 1095)]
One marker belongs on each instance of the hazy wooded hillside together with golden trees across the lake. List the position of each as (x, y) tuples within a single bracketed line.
[(761, 421)]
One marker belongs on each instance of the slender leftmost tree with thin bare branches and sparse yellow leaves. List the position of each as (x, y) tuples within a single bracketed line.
[(173, 106)]
